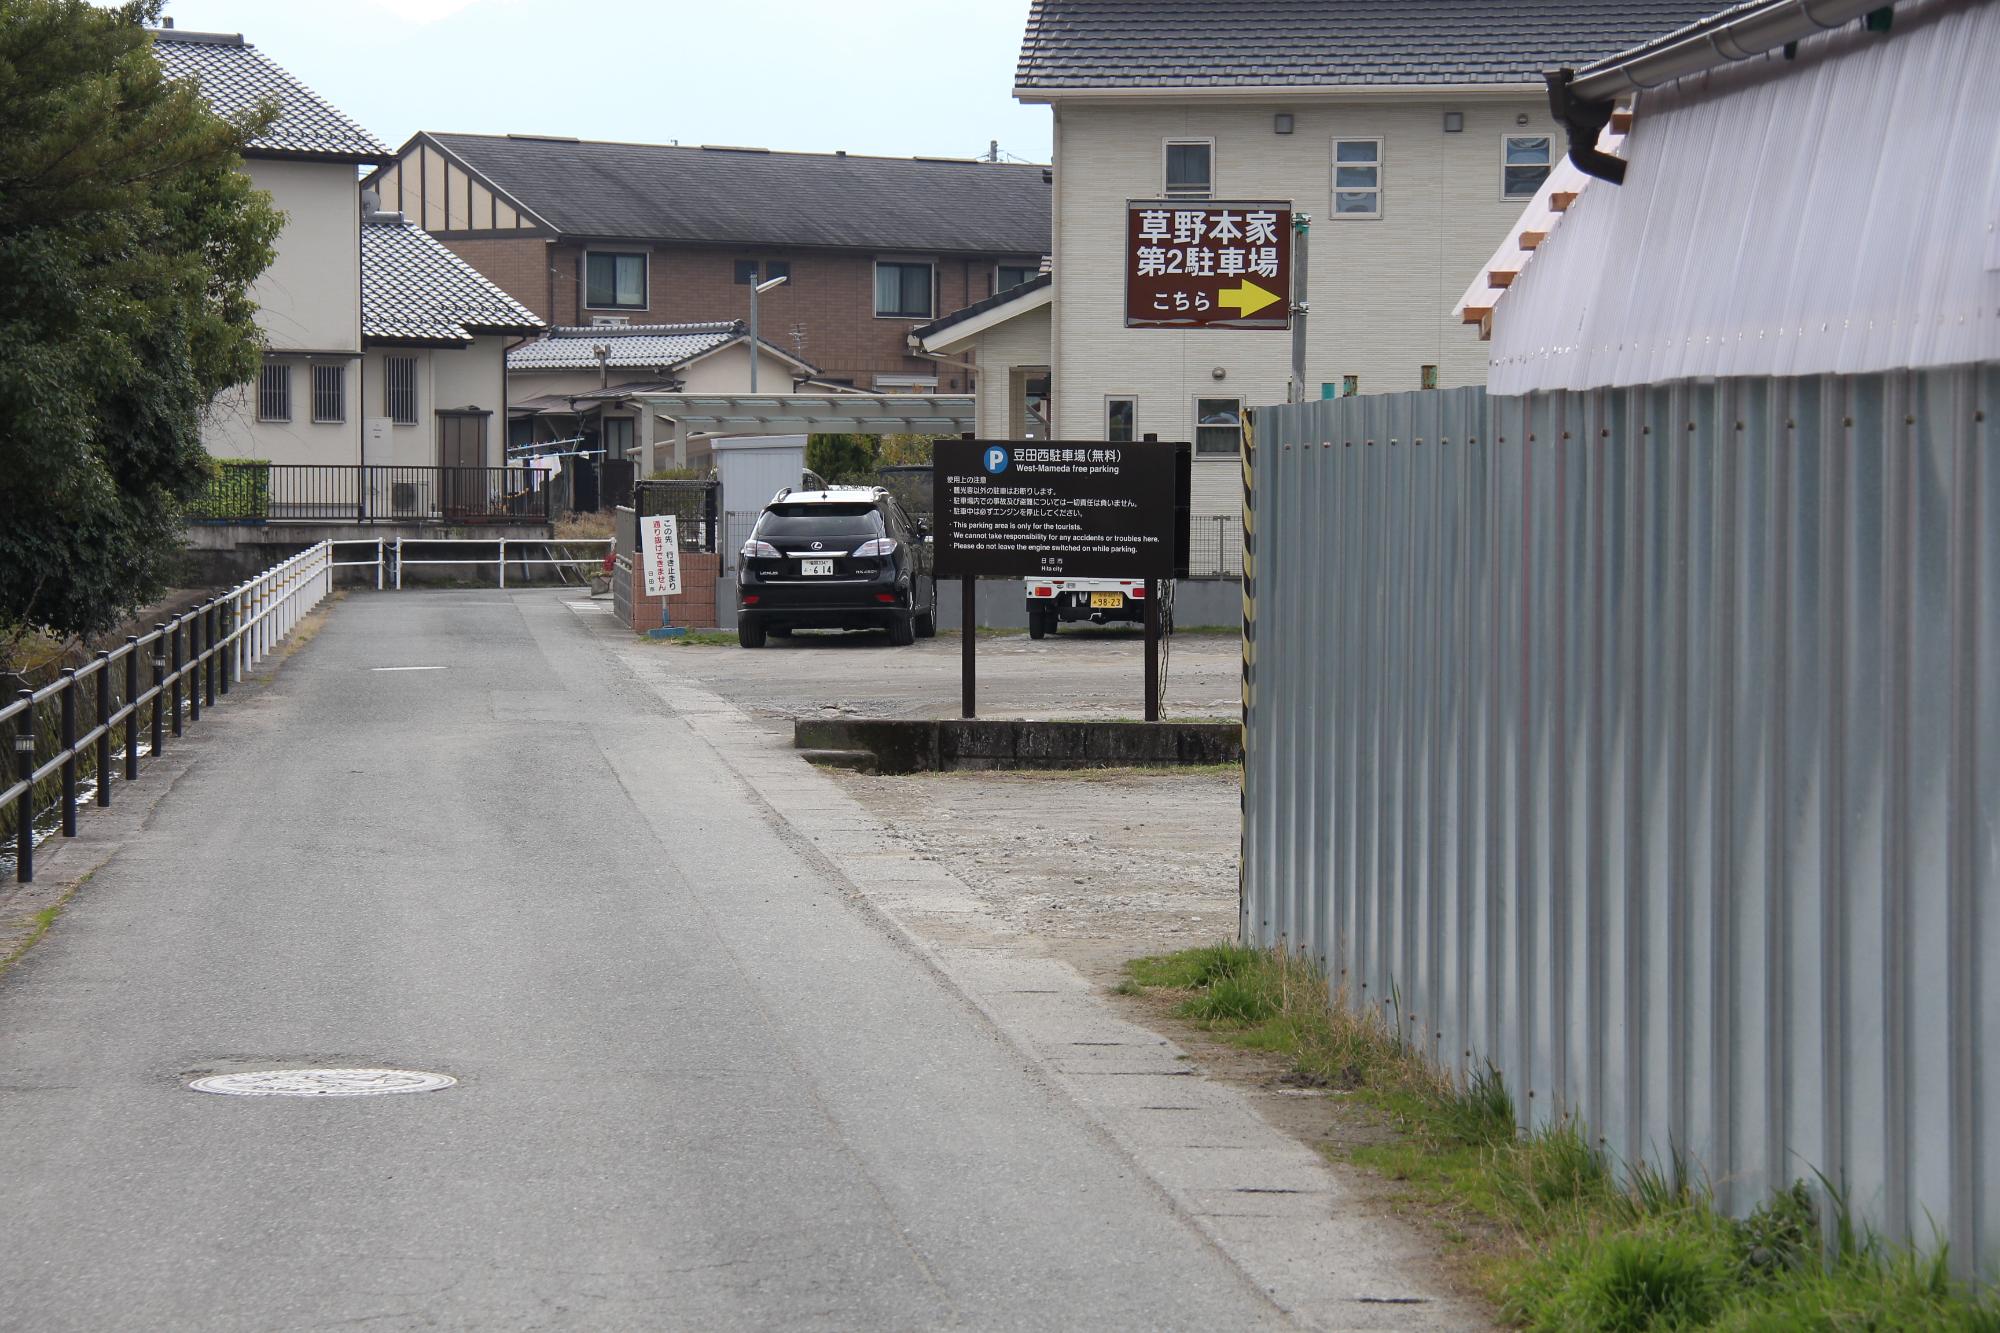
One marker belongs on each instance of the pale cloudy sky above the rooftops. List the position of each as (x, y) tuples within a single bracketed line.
[(859, 75)]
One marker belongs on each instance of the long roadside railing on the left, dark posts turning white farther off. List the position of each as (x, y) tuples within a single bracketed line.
[(193, 661)]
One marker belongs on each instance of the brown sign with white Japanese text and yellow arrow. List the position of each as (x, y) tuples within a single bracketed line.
[(1209, 265)]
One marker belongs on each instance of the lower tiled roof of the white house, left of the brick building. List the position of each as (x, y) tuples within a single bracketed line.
[(417, 291)]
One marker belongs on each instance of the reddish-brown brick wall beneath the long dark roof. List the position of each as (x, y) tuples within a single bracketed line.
[(831, 297)]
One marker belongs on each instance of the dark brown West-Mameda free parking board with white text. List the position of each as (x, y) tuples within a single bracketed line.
[(1079, 509)]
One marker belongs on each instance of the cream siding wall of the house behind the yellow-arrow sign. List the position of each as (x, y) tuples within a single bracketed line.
[(1381, 291)]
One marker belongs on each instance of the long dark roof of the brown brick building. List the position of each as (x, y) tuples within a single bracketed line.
[(765, 199)]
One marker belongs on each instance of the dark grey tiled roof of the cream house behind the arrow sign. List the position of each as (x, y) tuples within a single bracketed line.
[(1083, 45)]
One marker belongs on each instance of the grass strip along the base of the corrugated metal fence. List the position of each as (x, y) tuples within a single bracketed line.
[(1543, 1222)]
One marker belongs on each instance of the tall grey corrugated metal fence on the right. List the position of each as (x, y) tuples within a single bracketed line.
[(1647, 746)]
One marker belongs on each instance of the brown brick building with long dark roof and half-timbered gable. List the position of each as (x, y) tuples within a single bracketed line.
[(665, 235)]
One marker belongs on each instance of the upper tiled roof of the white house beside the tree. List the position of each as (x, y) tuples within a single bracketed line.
[(237, 77)]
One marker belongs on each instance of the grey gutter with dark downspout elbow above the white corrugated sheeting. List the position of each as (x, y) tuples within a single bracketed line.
[(1583, 101)]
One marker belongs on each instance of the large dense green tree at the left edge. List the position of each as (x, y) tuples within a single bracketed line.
[(129, 239)]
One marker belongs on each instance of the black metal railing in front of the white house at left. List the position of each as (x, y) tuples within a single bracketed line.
[(353, 493)]
